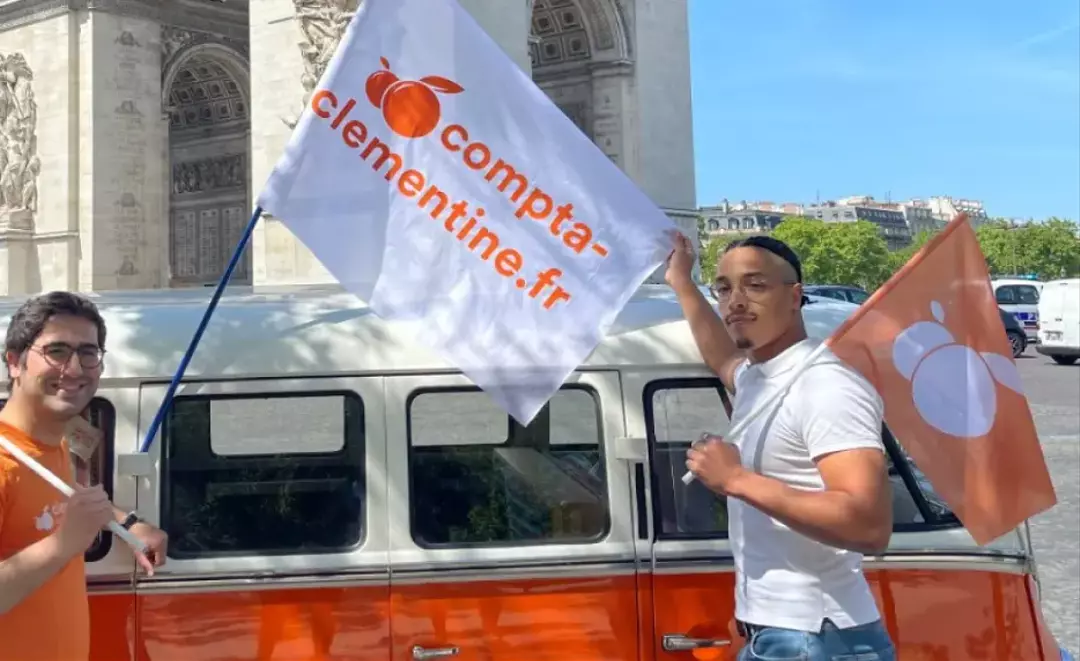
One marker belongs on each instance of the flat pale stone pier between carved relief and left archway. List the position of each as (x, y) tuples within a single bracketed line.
[(123, 201)]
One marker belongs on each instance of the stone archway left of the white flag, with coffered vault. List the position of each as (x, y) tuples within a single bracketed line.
[(207, 99)]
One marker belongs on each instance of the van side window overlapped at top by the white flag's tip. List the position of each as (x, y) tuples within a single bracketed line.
[(478, 478)]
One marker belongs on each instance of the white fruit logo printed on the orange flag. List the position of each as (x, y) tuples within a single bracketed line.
[(953, 386)]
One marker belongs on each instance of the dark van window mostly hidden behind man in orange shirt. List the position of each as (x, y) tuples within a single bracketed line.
[(92, 467)]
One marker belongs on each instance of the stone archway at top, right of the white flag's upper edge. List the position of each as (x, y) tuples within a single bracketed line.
[(582, 58)]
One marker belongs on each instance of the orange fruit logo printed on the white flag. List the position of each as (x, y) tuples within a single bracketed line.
[(410, 107)]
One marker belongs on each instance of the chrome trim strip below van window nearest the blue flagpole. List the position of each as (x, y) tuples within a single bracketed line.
[(245, 584)]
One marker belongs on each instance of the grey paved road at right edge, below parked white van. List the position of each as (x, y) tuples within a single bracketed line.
[(1054, 394)]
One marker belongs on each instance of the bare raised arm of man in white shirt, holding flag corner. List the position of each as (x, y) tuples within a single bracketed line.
[(715, 345)]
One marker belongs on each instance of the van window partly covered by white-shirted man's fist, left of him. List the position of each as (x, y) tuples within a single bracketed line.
[(678, 413)]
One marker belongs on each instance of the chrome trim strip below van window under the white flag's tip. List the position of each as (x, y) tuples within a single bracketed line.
[(463, 575)]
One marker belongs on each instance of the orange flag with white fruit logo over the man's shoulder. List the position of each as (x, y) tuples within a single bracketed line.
[(933, 343)]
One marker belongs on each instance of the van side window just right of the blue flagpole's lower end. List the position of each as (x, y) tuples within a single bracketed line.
[(263, 475)]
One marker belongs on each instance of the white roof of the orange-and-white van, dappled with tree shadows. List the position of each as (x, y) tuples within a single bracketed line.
[(306, 331)]
